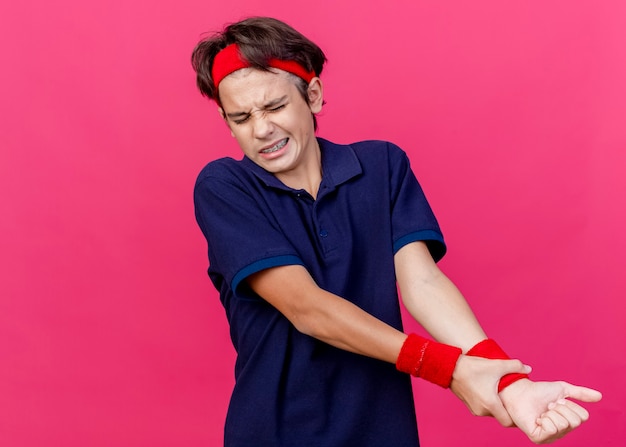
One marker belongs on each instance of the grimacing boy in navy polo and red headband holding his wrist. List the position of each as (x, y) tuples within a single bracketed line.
[(306, 241)]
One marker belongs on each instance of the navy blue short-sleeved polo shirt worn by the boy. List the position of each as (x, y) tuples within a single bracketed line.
[(291, 389)]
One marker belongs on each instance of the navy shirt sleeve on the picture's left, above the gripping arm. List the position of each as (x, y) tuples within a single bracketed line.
[(241, 237)]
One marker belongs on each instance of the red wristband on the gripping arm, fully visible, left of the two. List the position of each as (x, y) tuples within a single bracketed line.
[(428, 359)]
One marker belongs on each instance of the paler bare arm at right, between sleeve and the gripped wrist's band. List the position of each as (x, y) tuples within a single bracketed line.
[(433, 300)]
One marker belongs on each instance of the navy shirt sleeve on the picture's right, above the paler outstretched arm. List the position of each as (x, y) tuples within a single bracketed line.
[(412, 217)]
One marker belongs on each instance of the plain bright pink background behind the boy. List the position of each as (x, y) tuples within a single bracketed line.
[(513, 114)]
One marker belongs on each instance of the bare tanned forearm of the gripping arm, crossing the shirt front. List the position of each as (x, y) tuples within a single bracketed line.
[(325, 316)]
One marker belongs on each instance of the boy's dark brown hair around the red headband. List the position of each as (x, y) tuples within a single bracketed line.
[(260, 39)]
